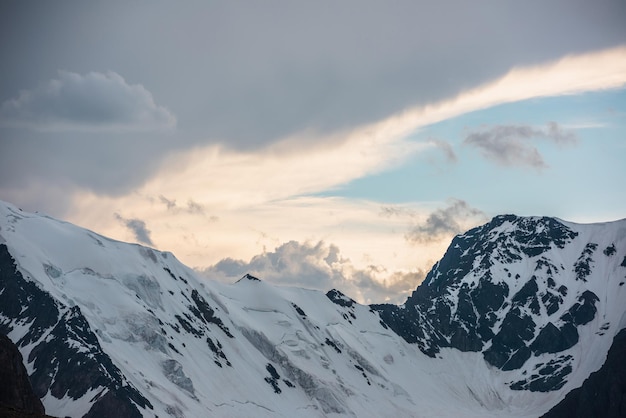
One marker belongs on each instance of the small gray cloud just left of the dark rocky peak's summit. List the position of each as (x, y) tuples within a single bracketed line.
[(444, 222)]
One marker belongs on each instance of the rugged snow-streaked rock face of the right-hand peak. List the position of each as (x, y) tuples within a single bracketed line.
[(483, 297)]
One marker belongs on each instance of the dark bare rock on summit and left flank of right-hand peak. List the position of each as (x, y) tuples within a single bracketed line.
[(428, 318)]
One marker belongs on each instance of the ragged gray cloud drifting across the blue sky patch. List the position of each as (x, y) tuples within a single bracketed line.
[(510, 145)]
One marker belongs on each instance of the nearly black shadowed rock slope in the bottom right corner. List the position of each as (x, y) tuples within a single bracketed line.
[(604, 392)]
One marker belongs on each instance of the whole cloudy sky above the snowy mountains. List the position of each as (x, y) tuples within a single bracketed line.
[(314, 144)]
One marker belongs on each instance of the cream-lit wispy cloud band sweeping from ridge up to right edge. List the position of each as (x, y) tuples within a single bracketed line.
[(271, 189)]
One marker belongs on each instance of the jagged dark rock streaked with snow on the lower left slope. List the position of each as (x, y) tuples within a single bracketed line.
[(59, 367)]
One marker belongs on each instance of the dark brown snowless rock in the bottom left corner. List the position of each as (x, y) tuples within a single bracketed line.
[(15, 390)]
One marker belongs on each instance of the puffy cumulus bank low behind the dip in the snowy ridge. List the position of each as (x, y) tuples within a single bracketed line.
[(320, 266)]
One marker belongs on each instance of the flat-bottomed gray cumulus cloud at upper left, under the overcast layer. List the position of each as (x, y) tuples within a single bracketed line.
[(90, 102)]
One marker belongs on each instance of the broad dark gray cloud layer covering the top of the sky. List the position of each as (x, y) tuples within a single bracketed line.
[(234, 77)]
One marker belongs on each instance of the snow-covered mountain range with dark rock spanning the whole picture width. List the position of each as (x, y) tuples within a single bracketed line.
[(517, 314)]
